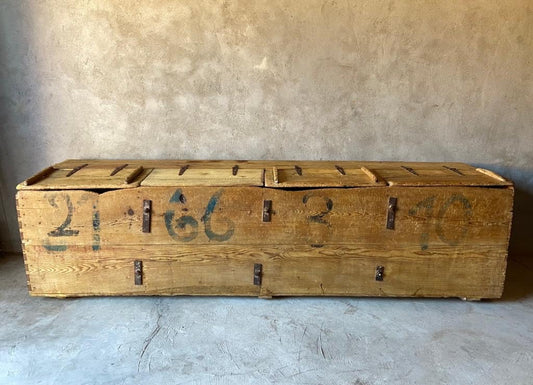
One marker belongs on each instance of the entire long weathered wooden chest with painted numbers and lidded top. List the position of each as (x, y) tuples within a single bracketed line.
[(265, 228)]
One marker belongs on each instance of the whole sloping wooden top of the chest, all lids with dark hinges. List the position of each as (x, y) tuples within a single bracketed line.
[(119, 174)]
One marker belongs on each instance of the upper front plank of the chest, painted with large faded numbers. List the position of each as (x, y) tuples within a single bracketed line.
[(427, 217)]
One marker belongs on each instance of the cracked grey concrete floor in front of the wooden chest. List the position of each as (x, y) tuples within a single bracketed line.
[(183, 340)]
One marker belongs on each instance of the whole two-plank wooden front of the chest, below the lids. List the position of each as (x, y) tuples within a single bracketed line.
[(446, 241)]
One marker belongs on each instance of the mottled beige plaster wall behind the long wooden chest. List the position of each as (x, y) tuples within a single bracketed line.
[(373, 80)]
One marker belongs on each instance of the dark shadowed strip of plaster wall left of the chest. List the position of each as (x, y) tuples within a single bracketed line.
[(21, 113)]
